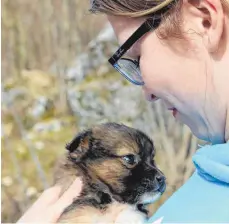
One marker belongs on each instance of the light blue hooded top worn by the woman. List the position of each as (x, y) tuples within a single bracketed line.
[(204, 198)]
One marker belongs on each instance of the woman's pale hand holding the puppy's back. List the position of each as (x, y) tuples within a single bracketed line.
[(50, 205)]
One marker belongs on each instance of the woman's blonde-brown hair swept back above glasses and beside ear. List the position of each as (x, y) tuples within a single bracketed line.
[(140, 8)]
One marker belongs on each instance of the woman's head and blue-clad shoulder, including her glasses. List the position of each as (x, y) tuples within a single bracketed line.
[(179, 52)]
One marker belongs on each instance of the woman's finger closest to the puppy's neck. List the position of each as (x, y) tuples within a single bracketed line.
[(68, 196)]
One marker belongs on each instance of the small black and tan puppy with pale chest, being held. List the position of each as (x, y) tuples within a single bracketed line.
[(116, 165)]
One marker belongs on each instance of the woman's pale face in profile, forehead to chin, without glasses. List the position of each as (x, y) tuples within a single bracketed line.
[(180, 73)]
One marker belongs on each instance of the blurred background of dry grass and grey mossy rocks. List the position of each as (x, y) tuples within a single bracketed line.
[(56, 82)]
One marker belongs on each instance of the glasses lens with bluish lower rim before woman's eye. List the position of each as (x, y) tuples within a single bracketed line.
[(130, 70)]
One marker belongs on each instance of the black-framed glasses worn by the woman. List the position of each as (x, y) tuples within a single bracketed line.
[(128, 67)]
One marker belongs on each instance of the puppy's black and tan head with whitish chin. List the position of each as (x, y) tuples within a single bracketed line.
[(122, 160)]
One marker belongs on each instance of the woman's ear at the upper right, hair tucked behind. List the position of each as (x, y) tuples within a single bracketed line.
[(208, 19)]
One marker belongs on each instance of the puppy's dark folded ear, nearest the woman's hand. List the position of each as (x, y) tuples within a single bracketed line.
[(79, 146)]
